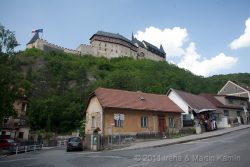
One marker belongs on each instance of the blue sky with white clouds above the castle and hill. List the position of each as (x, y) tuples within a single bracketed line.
[(206, 37)]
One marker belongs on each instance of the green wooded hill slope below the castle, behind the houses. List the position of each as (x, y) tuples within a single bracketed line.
[(58, 84)]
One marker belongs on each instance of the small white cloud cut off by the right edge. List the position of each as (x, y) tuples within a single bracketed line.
[(244, 39)]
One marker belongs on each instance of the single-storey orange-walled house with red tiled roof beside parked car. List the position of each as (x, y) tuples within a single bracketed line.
[(127, 113)]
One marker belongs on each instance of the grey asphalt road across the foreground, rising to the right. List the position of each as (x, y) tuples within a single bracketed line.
[(229, 150)]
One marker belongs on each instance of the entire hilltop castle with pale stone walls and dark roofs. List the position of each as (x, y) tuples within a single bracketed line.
[(105, 44)]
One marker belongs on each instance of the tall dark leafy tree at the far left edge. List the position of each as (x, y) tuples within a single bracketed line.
[(7, 73)]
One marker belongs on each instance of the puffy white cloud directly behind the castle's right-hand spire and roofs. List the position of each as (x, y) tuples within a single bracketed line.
[(172, 40)]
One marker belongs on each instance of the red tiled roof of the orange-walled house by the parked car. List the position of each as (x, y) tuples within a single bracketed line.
[(120, 99)]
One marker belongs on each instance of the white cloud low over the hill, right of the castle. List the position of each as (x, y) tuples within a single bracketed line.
[(202, 66)]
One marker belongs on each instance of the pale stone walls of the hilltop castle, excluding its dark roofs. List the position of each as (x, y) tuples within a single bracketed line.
[(101, 46)]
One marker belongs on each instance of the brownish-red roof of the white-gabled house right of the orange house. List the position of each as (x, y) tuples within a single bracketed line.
[(195, 101)]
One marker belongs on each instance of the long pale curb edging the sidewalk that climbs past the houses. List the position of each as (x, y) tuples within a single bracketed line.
[(184, 141)]
